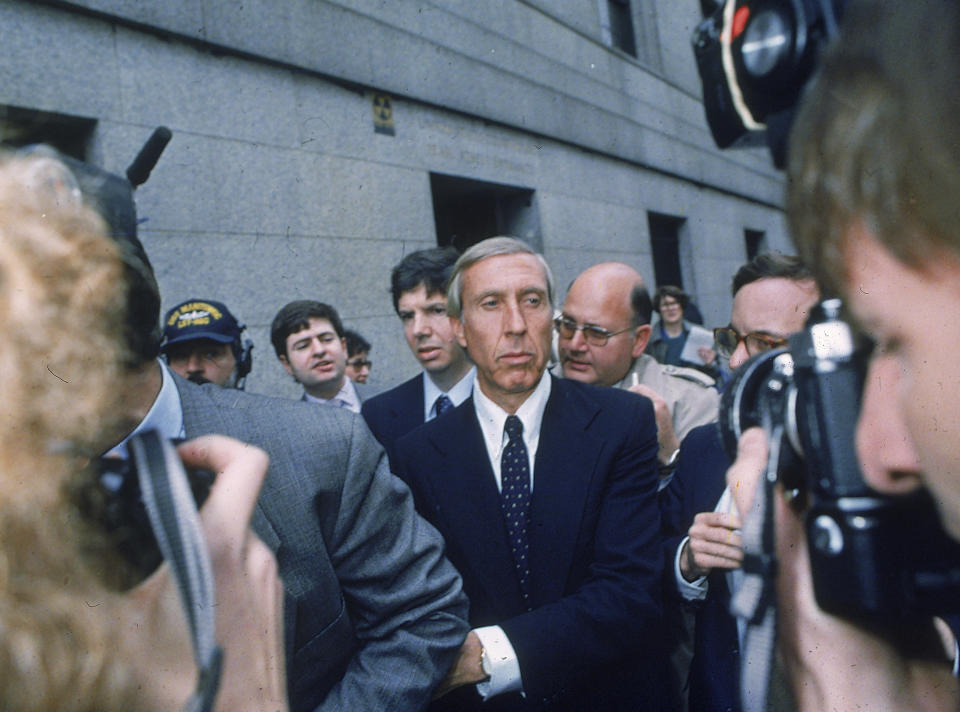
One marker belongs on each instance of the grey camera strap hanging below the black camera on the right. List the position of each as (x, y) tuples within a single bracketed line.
[(755, 599)]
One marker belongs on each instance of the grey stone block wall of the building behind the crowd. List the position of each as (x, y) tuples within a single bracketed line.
[(275, 186)]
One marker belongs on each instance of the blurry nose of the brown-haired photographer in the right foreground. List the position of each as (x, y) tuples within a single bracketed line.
[(884, 447)]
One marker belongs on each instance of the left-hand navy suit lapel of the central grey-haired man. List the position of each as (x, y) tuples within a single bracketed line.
[(466, 493)]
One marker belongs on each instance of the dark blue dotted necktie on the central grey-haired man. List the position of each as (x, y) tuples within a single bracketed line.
[(515, 500)]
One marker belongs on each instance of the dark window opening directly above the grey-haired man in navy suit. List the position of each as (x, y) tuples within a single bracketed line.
[(467, 211)]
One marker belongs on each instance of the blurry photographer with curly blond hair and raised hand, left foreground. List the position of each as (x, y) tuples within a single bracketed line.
[(68, 641)]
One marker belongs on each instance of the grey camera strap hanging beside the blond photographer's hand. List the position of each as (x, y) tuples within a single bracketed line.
[(176, 525)]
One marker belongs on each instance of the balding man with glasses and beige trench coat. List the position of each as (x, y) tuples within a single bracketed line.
[(603, 330)]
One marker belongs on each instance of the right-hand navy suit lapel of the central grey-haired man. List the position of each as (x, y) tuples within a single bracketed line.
[(563, 477)]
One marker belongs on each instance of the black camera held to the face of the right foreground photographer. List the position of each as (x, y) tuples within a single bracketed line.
[(872, 555)]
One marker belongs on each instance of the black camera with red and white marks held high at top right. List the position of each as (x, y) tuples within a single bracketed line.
[(754, 58)]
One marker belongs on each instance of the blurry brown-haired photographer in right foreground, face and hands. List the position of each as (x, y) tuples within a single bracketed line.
[(874, 175)]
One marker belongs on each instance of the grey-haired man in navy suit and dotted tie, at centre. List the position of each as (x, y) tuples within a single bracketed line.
[(545, 492)]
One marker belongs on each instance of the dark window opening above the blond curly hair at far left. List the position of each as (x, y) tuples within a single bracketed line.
[(71, 135)]
